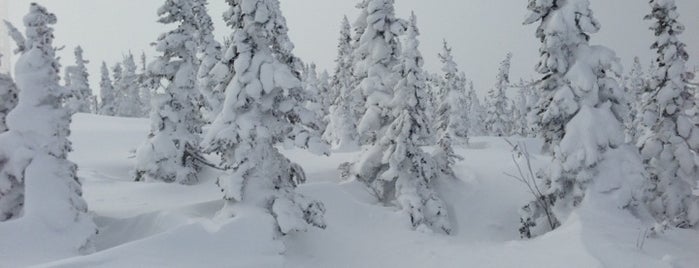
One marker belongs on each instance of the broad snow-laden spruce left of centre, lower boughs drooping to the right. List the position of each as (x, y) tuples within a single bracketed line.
[(263, 108)]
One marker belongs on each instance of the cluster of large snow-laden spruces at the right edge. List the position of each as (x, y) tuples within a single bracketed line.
[(583, 112)]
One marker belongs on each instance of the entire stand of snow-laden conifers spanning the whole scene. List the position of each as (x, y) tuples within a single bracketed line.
[(244, 99)]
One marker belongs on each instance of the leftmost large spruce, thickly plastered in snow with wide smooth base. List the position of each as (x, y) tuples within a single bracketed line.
[(37, 182)]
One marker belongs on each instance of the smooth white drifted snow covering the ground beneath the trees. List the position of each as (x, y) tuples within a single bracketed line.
[(161, 225)]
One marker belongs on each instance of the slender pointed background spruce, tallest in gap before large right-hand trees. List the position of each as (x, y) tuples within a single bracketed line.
[(497, 118)]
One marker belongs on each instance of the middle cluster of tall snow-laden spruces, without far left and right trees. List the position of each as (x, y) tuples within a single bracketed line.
[(254, 94)]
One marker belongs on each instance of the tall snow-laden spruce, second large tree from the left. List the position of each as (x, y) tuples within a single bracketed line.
[(171, 152)]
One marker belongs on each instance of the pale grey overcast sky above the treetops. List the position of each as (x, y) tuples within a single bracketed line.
[(481, 31)]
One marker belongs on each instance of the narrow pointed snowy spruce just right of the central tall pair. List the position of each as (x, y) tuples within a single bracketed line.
[(452, 112)]
